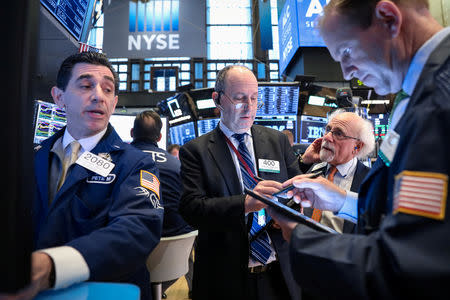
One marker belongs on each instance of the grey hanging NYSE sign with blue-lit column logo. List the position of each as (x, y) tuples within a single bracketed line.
[(155, 28)]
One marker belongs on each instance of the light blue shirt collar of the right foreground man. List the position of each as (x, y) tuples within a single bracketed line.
[(420, 58)]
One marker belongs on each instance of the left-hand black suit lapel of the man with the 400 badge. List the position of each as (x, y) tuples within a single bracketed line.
[(220, 153)]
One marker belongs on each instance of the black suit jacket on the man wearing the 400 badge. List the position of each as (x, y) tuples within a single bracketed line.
[(213, 202)]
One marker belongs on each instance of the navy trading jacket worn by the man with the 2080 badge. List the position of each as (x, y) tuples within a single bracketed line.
[(114, 222)]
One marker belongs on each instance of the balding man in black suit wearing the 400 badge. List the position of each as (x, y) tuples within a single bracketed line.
[(215, 168)]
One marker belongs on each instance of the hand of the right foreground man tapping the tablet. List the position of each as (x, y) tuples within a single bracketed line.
[(318, 193)]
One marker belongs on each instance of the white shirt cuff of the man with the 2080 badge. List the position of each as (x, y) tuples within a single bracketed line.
[(70, 266)]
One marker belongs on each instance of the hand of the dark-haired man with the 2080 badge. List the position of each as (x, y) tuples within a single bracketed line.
[(41, 267)]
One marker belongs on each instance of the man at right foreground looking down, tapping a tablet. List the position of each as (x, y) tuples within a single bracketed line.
[(402, 250)]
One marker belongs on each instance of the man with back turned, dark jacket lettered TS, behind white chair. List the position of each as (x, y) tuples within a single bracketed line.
[(146, 133)]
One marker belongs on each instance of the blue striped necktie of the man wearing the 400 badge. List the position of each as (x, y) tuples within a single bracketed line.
[(260, 248)]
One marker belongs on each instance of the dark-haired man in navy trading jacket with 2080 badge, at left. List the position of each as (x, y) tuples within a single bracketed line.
[(97, 214)]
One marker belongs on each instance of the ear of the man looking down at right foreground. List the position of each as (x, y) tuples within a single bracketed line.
[(390, 16)]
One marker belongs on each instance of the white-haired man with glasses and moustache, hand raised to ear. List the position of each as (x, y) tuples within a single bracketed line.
[(335, 155)]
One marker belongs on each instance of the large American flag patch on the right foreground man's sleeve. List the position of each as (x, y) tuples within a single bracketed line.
[(421, 193)]
